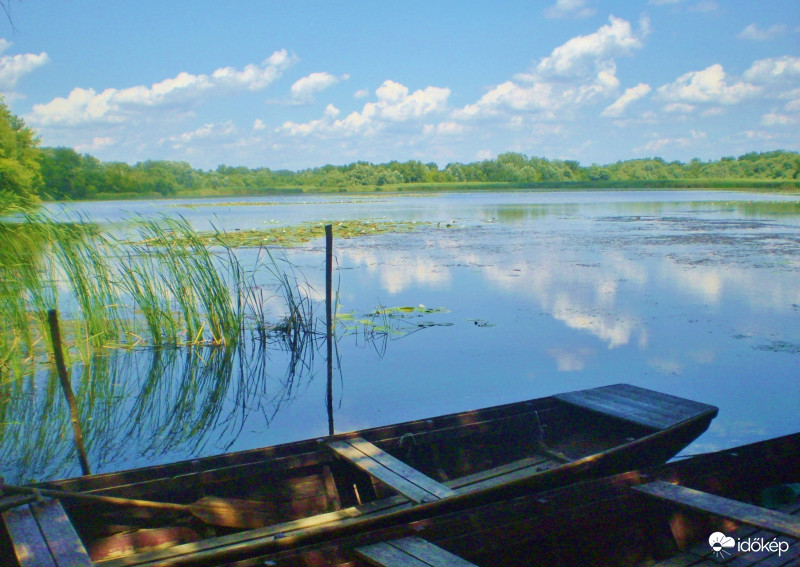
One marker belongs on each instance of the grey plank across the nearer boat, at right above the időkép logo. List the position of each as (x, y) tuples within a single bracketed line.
[(771, 520)]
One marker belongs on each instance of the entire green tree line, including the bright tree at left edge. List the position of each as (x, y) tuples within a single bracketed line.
[(29, 173)]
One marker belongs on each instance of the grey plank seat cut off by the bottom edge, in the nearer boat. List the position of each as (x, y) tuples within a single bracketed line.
[(409, 552)]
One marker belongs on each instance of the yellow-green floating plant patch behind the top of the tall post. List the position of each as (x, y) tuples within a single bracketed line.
[(299, 234)]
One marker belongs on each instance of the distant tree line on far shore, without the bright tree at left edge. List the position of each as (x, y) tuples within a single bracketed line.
[(69, 175)]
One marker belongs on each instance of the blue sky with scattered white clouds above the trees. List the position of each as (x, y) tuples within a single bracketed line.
[(298, 83)]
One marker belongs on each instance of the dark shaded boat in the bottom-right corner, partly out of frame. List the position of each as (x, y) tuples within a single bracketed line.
[(702, 511)]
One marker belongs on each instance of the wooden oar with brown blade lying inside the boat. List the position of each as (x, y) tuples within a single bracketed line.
[(227, 512)]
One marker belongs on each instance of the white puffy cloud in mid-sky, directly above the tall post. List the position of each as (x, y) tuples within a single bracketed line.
[(395, 104)]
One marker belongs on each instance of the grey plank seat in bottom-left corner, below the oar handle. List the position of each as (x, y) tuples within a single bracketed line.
[(42, 536)]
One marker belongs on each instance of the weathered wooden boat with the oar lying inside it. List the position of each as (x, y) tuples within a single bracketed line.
[(292, 494)]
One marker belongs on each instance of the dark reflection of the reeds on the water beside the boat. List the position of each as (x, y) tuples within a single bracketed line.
[(144, 405)]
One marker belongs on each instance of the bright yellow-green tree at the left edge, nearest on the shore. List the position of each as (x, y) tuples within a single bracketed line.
[(19, 161)]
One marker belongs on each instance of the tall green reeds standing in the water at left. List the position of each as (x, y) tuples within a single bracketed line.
[(159, 286)]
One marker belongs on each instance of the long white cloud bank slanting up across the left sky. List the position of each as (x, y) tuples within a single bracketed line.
[(121, 105)]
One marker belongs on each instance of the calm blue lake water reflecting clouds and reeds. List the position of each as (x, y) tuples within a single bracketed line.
[(507, 296)]
